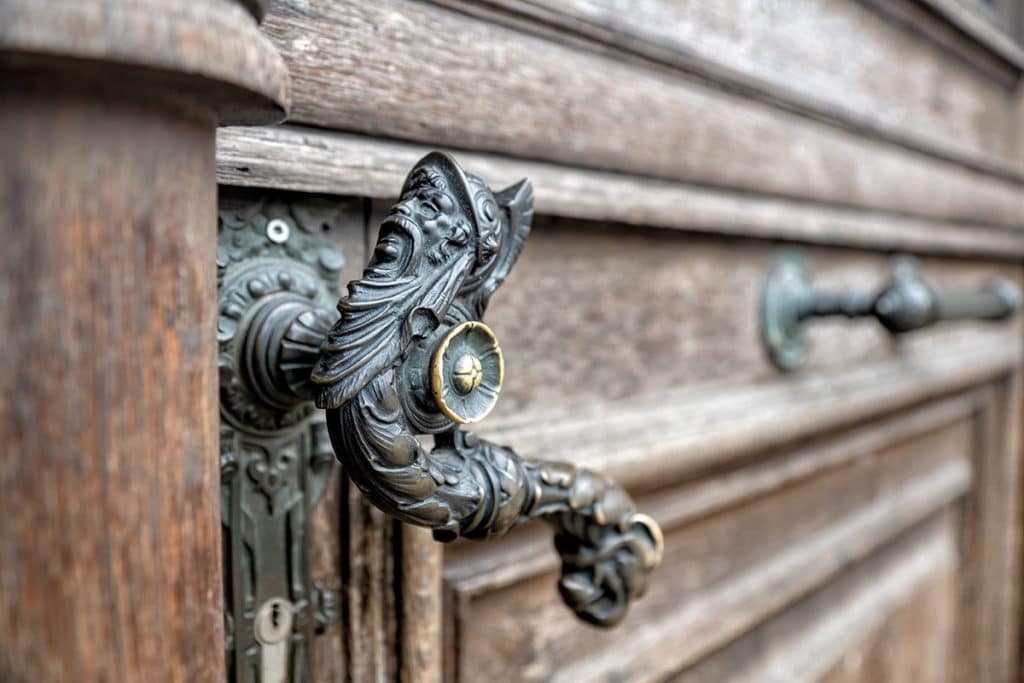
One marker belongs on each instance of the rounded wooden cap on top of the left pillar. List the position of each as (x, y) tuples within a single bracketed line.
[(211, 52)]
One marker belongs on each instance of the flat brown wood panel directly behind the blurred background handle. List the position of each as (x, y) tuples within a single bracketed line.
[(591, 316)]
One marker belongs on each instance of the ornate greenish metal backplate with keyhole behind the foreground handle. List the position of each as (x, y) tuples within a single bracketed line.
[(278, 277)]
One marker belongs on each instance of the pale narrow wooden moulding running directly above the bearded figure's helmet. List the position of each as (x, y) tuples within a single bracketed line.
[(311, 160)]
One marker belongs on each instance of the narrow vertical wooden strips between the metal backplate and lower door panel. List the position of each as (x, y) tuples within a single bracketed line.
[(389, 576)]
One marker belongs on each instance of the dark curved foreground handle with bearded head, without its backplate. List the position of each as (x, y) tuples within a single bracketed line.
[(410, 356)]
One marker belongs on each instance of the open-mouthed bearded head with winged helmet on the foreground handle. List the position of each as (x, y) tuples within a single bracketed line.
[(449, 239)]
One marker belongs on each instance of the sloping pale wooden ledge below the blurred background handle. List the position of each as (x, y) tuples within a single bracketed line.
[(670, 437)]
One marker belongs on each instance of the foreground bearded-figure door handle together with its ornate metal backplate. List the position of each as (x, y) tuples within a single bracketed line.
[(410, 356)]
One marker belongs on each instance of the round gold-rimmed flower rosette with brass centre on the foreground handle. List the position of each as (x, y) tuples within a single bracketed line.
[(466, 372)]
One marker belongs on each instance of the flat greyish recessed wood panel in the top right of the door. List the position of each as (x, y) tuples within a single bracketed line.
[(827, 59)]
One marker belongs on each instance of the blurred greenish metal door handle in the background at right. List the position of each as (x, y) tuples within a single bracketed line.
[(905, 305)]
